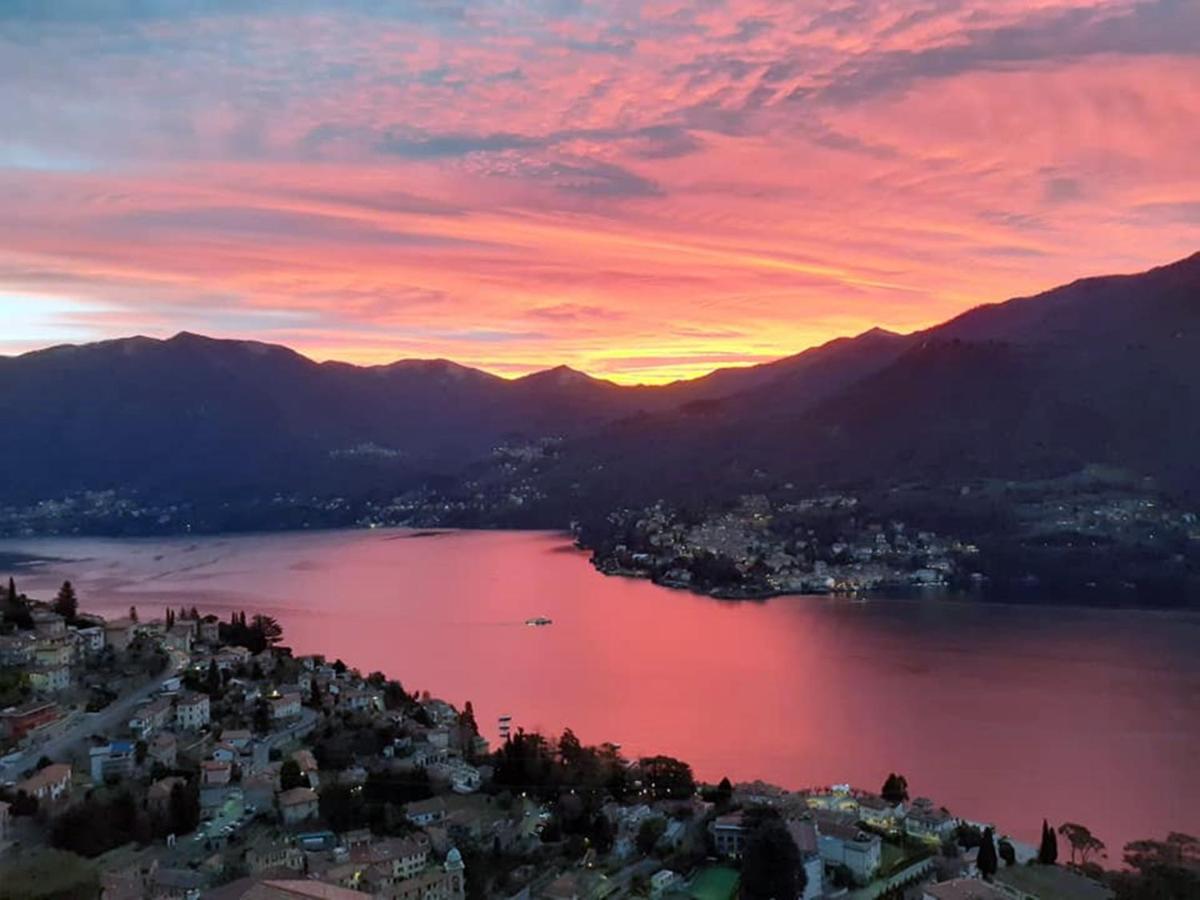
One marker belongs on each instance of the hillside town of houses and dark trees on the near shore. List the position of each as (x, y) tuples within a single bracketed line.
[(190, 755)]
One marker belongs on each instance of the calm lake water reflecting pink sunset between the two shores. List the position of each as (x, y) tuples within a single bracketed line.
[(1003, 713)]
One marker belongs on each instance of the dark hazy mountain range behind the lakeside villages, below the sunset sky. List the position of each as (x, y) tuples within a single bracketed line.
[(1103, 371)]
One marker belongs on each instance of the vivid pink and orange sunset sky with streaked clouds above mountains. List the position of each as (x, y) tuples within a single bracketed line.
[(645, 191)]
